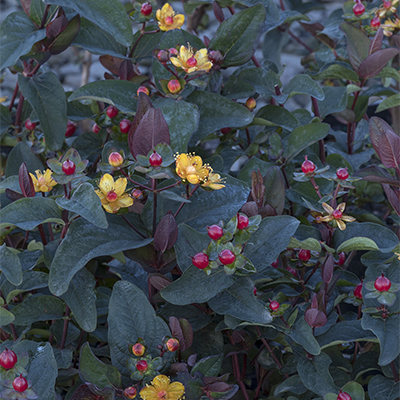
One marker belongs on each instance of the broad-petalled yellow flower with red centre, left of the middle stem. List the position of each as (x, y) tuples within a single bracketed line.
[(112, 194)]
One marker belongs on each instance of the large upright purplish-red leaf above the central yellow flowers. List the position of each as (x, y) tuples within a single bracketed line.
[(152, 130)]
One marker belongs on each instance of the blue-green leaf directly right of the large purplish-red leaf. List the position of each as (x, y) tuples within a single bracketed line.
[(182, 119)]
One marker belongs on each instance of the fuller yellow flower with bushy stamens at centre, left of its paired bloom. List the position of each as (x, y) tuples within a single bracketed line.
[(190, 168)]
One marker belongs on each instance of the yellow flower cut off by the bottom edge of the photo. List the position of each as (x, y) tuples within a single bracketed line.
[(162, 389)]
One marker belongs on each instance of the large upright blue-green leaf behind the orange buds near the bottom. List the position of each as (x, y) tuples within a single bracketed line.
[(131, 317)]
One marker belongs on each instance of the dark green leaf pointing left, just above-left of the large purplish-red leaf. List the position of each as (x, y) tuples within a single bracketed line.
[(121, 94)]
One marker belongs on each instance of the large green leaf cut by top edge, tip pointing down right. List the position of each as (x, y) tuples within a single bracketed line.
[(110, 15)]
